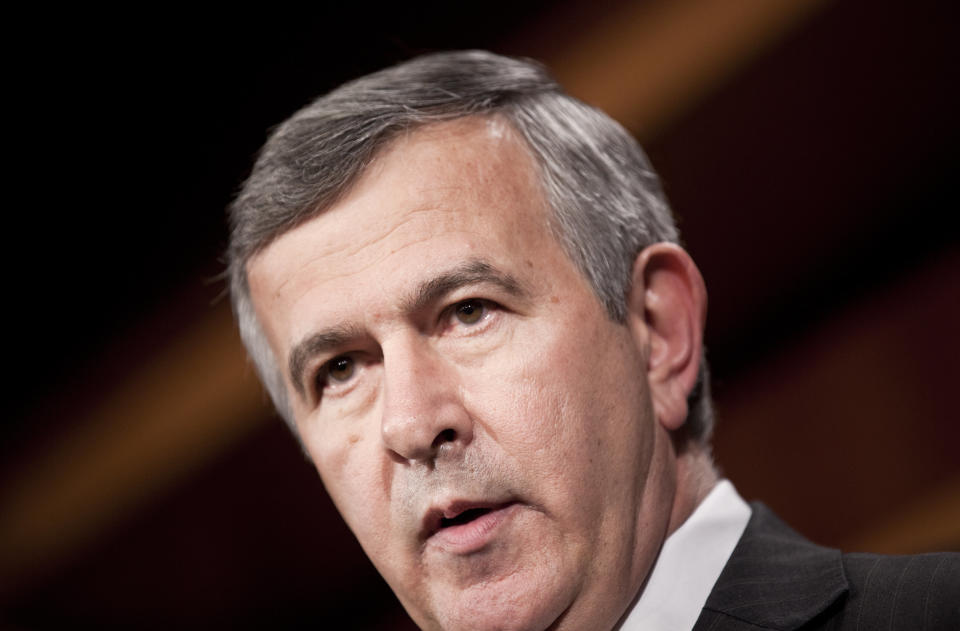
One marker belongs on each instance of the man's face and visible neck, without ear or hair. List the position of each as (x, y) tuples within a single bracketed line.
[(482, 425)]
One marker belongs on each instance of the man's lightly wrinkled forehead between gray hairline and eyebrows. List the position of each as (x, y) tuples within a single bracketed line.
[(441, 194)]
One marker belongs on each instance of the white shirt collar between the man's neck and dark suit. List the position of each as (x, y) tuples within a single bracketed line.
[(690, 563)]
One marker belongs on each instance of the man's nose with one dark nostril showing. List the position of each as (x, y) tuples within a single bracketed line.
[(423, 413)]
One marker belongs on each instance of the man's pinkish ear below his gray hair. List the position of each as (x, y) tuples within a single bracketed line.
[(667, 311)]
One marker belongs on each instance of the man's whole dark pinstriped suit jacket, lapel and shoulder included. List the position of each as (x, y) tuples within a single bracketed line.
[(776, 579)]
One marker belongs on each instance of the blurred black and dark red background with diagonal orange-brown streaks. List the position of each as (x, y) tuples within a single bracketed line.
[(808, 147)]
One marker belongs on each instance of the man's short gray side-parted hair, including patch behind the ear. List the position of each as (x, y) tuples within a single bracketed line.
[(606, 199)]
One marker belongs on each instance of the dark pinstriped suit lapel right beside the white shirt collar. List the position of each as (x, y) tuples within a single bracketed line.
[(774, 579)]
